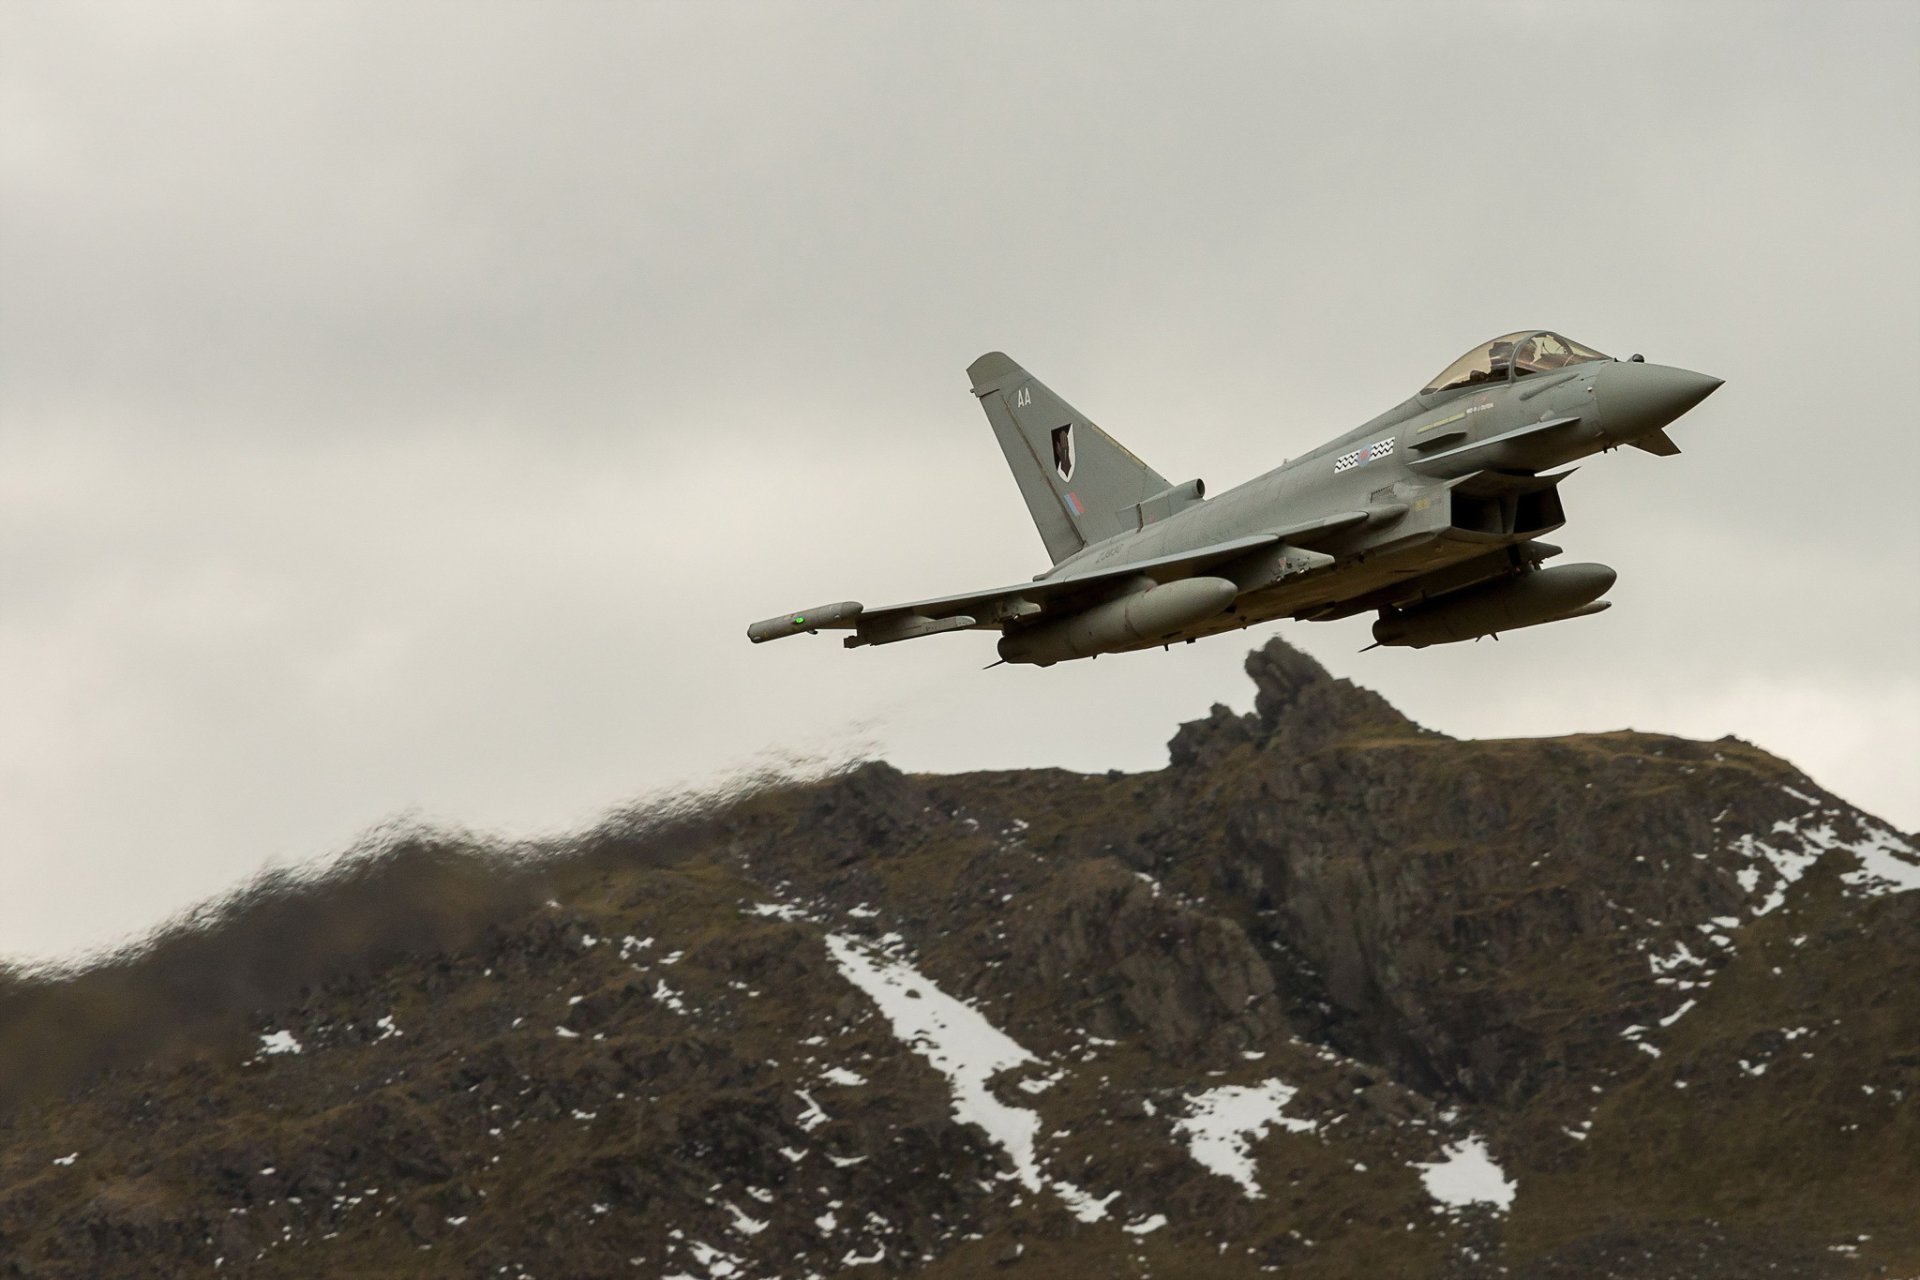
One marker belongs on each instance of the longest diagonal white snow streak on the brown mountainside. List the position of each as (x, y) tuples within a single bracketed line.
[(969, 1051)]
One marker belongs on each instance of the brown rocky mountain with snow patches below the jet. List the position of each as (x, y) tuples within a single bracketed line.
[(1332, 995)]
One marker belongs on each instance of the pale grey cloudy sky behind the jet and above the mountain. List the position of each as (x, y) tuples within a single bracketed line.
[(406, 408)]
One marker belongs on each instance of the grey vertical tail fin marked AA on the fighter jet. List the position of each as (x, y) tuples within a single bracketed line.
[(1078, 481)]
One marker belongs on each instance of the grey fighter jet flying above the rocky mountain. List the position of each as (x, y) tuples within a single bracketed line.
[(1431, 515)]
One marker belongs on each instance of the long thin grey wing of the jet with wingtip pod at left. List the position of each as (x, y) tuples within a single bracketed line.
[(994, 607)]
